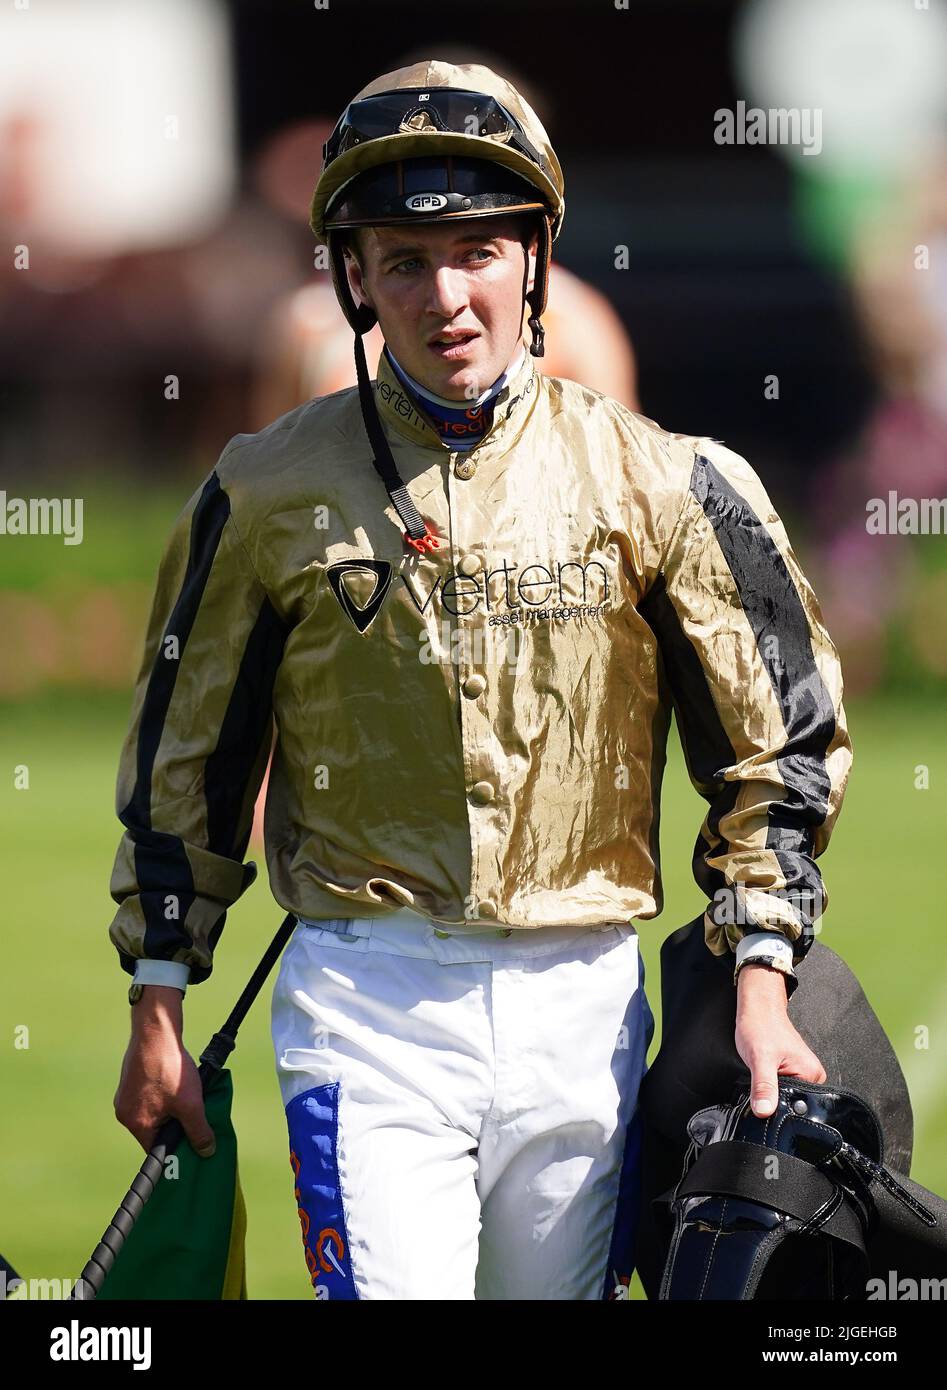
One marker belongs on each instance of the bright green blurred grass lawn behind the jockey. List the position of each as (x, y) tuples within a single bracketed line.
[(65, 1161)]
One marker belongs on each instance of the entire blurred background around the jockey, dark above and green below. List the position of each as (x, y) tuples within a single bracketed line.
[(161, 293)]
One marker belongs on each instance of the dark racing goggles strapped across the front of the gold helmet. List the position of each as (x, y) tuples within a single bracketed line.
[(416, 111)]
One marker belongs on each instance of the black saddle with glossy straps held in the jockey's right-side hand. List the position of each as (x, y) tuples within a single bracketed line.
[(810, 1203)]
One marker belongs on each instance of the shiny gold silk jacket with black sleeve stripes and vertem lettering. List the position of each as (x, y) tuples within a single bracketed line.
[(478, 733)]
